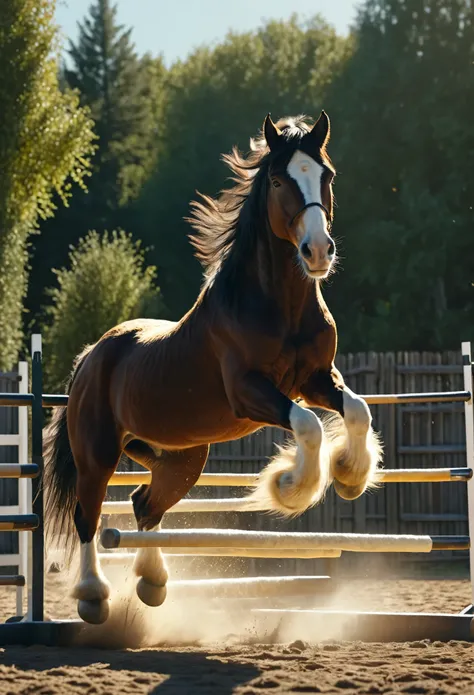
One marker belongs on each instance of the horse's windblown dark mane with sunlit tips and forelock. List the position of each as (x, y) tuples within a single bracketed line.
[(227, 226)]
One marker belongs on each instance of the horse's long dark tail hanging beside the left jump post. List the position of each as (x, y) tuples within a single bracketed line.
[(60, 472)]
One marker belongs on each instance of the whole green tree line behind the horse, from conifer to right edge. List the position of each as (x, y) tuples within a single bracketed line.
[(399, 91)]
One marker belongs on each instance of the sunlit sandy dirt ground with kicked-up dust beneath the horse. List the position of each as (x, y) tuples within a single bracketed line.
[(196, 656)]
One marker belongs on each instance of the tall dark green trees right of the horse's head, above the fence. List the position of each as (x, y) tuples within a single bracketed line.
[(403, 141)]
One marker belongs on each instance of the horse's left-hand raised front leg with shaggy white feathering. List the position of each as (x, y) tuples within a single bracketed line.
[(297, 477)]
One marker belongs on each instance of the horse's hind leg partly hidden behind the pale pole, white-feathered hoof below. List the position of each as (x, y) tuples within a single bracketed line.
[(173, 474)]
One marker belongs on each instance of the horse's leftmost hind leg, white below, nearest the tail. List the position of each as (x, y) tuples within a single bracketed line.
[(96, 461)]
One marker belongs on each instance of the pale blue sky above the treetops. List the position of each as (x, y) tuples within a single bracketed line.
[(175, 28)]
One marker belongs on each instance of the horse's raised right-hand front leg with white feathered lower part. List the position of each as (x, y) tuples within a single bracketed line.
[(355, 449)]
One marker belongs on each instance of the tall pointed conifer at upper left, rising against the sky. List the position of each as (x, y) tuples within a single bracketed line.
[(113, 82)]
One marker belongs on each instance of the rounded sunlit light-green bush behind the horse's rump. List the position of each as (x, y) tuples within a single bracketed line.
[(107, 283)]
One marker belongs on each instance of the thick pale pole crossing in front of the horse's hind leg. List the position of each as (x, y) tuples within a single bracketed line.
[(113, 538)]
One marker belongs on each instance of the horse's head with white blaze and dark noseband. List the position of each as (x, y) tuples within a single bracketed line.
[(300, 201)]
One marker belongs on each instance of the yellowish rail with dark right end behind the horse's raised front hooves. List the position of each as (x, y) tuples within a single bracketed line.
[(394, 475)]
